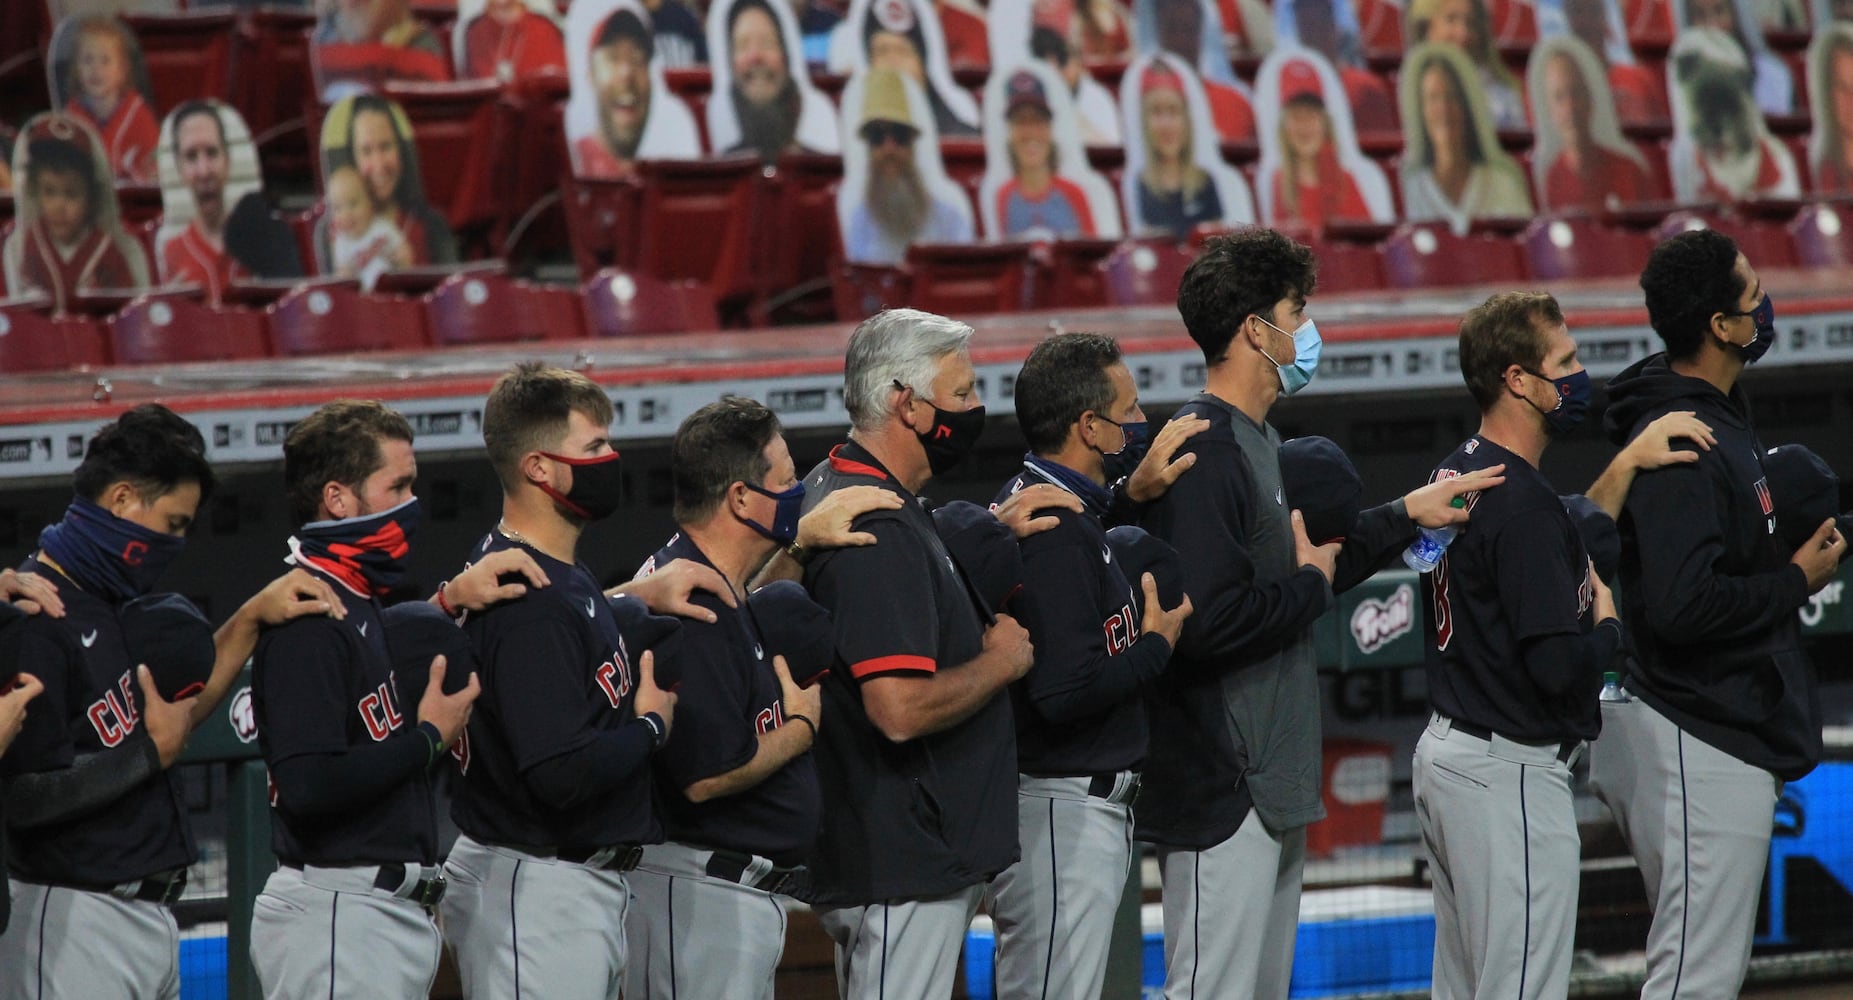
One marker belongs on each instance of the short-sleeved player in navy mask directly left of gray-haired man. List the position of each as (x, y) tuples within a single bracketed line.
[(738, 784)]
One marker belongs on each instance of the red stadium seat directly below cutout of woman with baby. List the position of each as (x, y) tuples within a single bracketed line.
[(334, 318)]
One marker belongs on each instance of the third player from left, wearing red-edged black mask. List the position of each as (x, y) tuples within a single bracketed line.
[(555, 803)]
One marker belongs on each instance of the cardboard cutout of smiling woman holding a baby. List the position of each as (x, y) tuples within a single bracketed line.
[(372, 181)]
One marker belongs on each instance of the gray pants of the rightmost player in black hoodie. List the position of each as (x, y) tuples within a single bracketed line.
[(1698, 823)]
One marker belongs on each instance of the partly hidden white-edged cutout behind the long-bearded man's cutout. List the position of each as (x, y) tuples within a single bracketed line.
[(907, 38)]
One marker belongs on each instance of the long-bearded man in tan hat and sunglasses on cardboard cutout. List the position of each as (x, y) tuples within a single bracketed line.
[(896, 210)]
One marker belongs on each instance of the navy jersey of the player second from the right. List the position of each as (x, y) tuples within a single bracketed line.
[(1515, 575)]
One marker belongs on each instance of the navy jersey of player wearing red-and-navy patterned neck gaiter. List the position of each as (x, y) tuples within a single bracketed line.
[(323, 686)]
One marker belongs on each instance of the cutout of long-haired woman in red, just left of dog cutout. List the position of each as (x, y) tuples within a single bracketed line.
[(1582, 160)]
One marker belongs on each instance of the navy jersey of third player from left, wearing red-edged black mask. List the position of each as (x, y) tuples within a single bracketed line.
[(557, 684)]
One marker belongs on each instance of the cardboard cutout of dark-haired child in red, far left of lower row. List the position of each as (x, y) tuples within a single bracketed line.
[(68, 236)]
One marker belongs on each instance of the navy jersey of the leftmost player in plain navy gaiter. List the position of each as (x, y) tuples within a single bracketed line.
[(92, 705)]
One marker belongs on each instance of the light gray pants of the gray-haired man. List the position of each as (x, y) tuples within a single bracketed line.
[(901, 949)]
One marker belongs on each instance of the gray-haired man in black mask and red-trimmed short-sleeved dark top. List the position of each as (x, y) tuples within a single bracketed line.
[(920, 758)]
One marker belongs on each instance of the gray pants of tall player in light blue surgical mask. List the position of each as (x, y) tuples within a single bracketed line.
[(1231, 916)]
